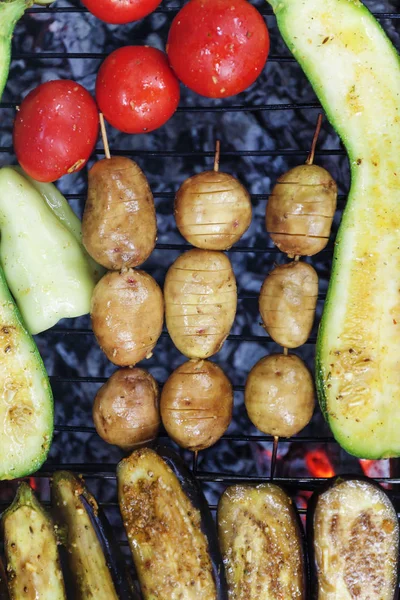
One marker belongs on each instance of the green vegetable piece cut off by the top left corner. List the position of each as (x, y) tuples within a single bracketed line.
[(10, 12)]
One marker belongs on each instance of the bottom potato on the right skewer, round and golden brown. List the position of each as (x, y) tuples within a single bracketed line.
[(279, 395)]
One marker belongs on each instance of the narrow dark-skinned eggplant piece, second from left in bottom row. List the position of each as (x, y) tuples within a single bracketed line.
[(95, 561)]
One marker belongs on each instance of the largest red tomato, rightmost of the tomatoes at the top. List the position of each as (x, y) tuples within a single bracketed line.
[(218, 48)]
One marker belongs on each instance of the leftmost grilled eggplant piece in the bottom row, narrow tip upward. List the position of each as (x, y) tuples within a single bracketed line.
[(33, 564)]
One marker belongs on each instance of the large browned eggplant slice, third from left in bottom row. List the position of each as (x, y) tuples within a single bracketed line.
[(170, 529)]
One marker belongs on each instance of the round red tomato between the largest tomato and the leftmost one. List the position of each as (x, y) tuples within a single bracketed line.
[(136, 89)]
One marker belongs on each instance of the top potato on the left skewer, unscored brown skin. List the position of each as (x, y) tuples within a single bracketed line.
[(119, 225)]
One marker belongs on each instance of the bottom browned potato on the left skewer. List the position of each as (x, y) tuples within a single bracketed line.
[(126, 409)]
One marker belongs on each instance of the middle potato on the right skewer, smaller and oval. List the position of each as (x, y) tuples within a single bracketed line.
[(287, 303)]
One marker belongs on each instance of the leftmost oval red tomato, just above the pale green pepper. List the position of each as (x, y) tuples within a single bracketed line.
[(55, 130)]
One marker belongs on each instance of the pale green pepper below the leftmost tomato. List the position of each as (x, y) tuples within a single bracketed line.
[(46, 267)]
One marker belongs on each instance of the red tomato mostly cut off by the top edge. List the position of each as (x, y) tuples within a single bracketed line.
[(121, 11)]
